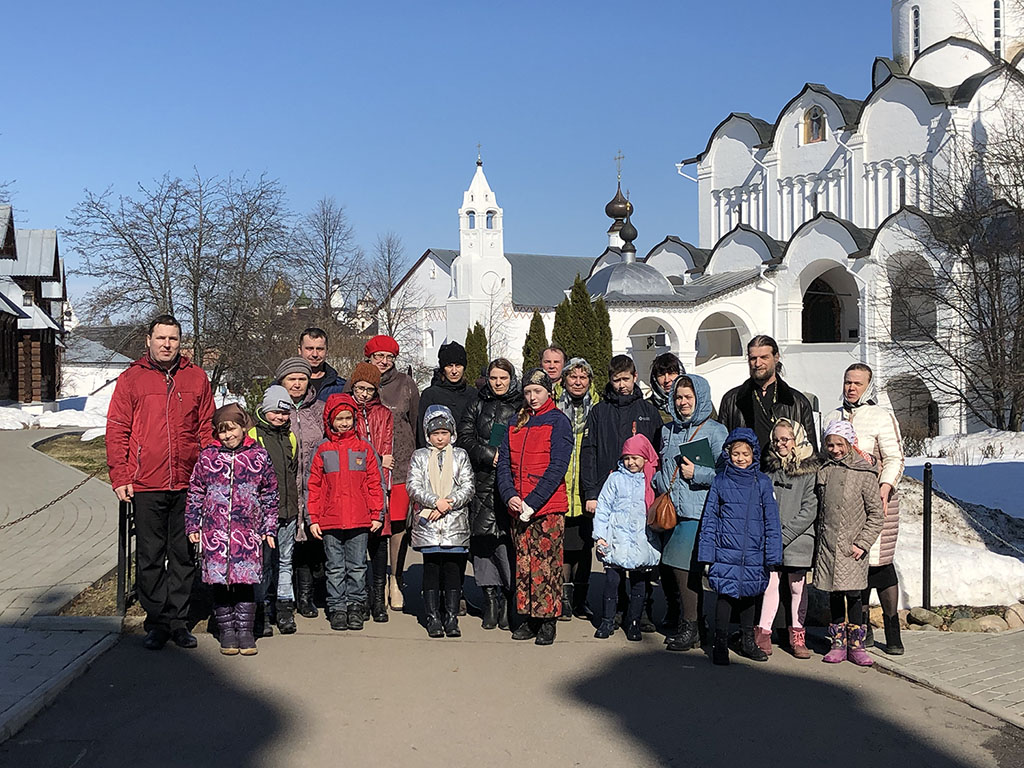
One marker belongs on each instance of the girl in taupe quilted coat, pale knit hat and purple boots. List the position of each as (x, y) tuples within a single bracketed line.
[(849, 522)]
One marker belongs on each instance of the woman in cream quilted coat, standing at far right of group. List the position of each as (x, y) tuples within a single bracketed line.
[(878, 440)]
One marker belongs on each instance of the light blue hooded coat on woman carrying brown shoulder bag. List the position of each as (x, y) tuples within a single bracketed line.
[(690, 496)]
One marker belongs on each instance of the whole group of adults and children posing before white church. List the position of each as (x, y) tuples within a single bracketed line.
[(525, 479)]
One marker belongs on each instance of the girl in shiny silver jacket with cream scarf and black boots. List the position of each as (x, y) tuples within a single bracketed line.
[(441, 486)]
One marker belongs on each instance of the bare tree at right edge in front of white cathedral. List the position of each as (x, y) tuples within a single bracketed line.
[(957, 298)]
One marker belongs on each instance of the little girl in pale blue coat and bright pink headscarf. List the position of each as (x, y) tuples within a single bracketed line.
[(627, 547)]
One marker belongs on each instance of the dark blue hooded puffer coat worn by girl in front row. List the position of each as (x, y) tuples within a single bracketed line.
[(741, 535)]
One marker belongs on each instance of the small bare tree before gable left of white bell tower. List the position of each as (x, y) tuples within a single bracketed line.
[(401, 303)]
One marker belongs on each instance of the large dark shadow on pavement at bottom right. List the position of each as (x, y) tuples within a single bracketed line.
[(681, 711)]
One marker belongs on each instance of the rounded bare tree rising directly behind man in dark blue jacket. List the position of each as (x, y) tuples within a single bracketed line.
[(325, 255)]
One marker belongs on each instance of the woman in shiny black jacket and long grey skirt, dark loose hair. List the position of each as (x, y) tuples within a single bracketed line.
[(481, 435)]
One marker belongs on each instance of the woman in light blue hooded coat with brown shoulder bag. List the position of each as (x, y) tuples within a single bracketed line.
[(691, 408)]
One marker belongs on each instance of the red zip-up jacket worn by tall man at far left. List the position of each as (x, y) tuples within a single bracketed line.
[(156, 424)]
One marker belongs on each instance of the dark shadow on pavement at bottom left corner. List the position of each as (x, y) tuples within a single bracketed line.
[(173, 708)]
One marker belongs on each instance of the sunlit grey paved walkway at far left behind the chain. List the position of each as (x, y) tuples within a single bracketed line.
[(49, 560)]
